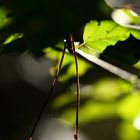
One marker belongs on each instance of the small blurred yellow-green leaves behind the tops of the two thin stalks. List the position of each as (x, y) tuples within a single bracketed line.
[(68, 68)]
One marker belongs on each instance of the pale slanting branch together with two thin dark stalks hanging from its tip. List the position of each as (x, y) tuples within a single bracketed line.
[(69, 45)]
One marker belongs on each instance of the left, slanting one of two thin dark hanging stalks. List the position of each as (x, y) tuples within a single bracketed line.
[(49, 95)]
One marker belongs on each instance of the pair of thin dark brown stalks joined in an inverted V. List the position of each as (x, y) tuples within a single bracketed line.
[(68, 44)]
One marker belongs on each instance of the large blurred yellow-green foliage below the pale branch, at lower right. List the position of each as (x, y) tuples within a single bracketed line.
[(104, 99)]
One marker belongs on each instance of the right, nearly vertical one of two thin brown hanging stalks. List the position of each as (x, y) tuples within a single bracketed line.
[(77, 88)]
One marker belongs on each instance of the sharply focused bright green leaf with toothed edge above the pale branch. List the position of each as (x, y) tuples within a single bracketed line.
[(100, 35)]
